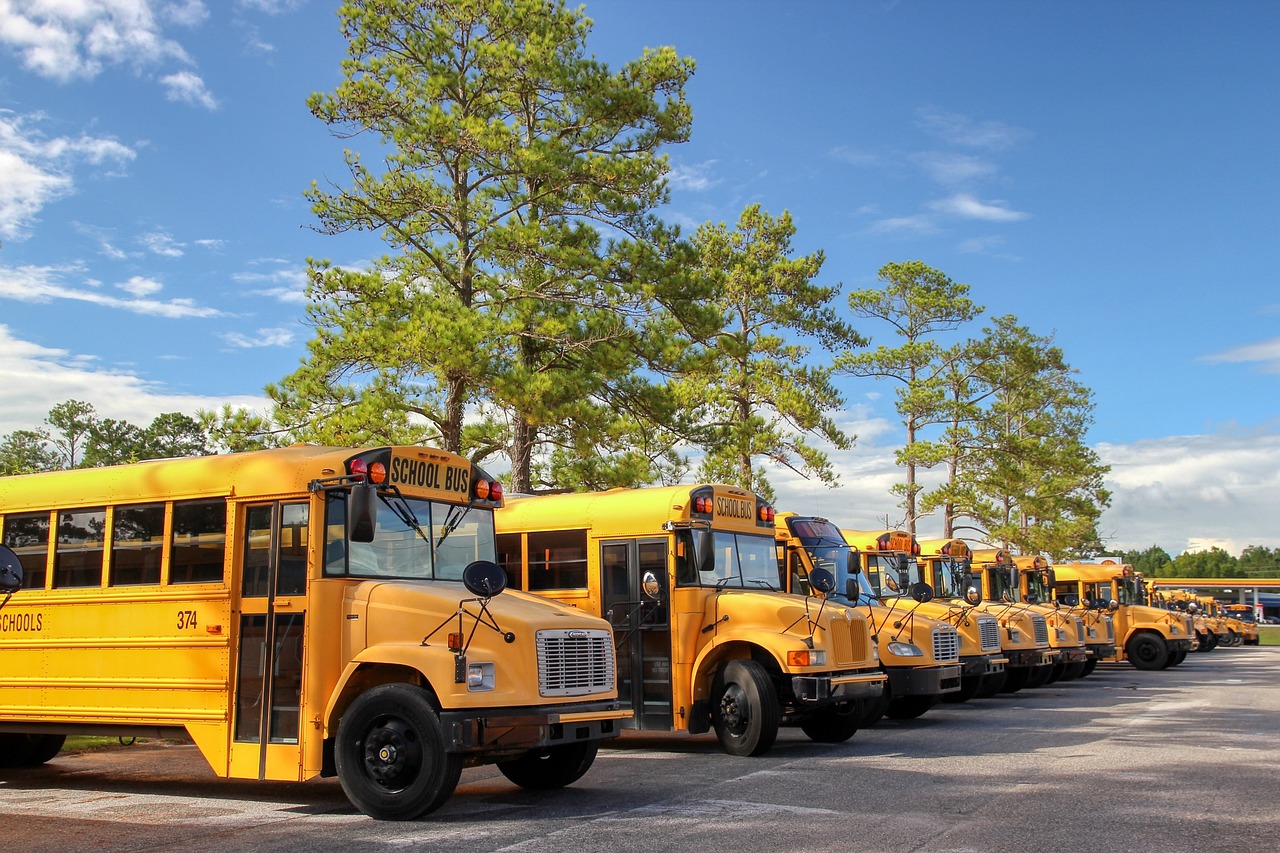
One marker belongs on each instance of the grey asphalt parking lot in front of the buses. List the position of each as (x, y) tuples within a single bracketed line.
[(1181, 760)]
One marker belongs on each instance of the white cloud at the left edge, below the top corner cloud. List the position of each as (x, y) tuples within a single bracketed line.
[(38, 171)]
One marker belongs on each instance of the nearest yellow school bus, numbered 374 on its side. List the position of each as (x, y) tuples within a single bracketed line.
[(296, 613)]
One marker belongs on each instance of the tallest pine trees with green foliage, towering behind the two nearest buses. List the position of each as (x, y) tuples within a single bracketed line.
[(527, 273)]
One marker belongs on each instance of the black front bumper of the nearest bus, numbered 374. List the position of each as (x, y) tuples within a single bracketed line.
[(501, 729)]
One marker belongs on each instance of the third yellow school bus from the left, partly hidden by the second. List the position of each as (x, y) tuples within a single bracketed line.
[(920, 655)]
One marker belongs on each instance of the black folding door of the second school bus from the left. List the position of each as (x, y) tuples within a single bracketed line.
[(642, 626)]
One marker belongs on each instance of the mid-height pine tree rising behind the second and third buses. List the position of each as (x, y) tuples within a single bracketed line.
[(752, 382)]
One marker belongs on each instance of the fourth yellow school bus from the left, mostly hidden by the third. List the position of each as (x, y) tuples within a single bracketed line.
[(893, 564)]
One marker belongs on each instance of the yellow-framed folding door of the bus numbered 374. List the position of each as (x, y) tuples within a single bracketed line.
[(266, 731)]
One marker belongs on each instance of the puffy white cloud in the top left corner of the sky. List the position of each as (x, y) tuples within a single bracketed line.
[(77, 39)]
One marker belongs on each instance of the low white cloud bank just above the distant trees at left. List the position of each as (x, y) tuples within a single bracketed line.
[(38, 378)]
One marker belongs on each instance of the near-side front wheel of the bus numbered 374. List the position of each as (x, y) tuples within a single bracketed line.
[(391, 755)]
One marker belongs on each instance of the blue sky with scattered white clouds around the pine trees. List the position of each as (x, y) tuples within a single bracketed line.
[(1107, 172)]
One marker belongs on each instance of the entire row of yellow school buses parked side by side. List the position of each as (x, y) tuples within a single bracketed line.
[(328, 612)]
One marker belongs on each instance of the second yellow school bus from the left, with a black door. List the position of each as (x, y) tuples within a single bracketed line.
[(688, 577)]
